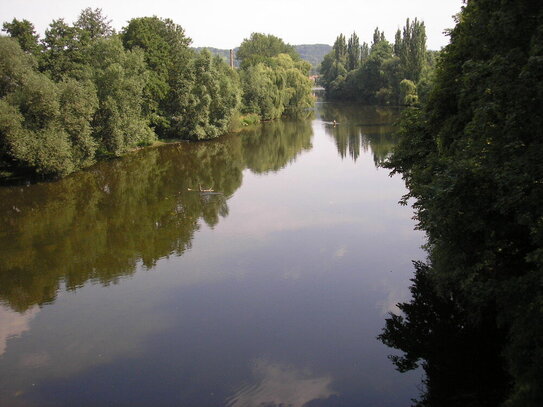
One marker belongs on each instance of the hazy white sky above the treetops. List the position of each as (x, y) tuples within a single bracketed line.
[(224, 24)]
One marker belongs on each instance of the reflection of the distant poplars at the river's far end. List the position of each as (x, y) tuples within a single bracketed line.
[(361, 128)]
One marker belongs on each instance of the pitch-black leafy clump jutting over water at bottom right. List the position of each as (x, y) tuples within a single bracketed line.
[(461, 356)]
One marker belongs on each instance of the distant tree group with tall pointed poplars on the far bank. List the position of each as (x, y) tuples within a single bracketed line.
[(382, 73)]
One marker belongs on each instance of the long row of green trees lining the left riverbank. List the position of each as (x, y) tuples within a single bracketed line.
[(85, 91)]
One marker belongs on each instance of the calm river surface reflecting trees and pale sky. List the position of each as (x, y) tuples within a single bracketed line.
[(124, 285)]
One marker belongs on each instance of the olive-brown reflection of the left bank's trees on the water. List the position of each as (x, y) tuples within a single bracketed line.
[(97, 224)]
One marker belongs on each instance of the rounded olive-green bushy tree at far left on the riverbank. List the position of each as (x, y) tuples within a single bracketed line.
[(45, 126)]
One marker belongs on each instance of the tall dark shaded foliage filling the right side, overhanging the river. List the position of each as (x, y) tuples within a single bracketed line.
[(472, 160)]
